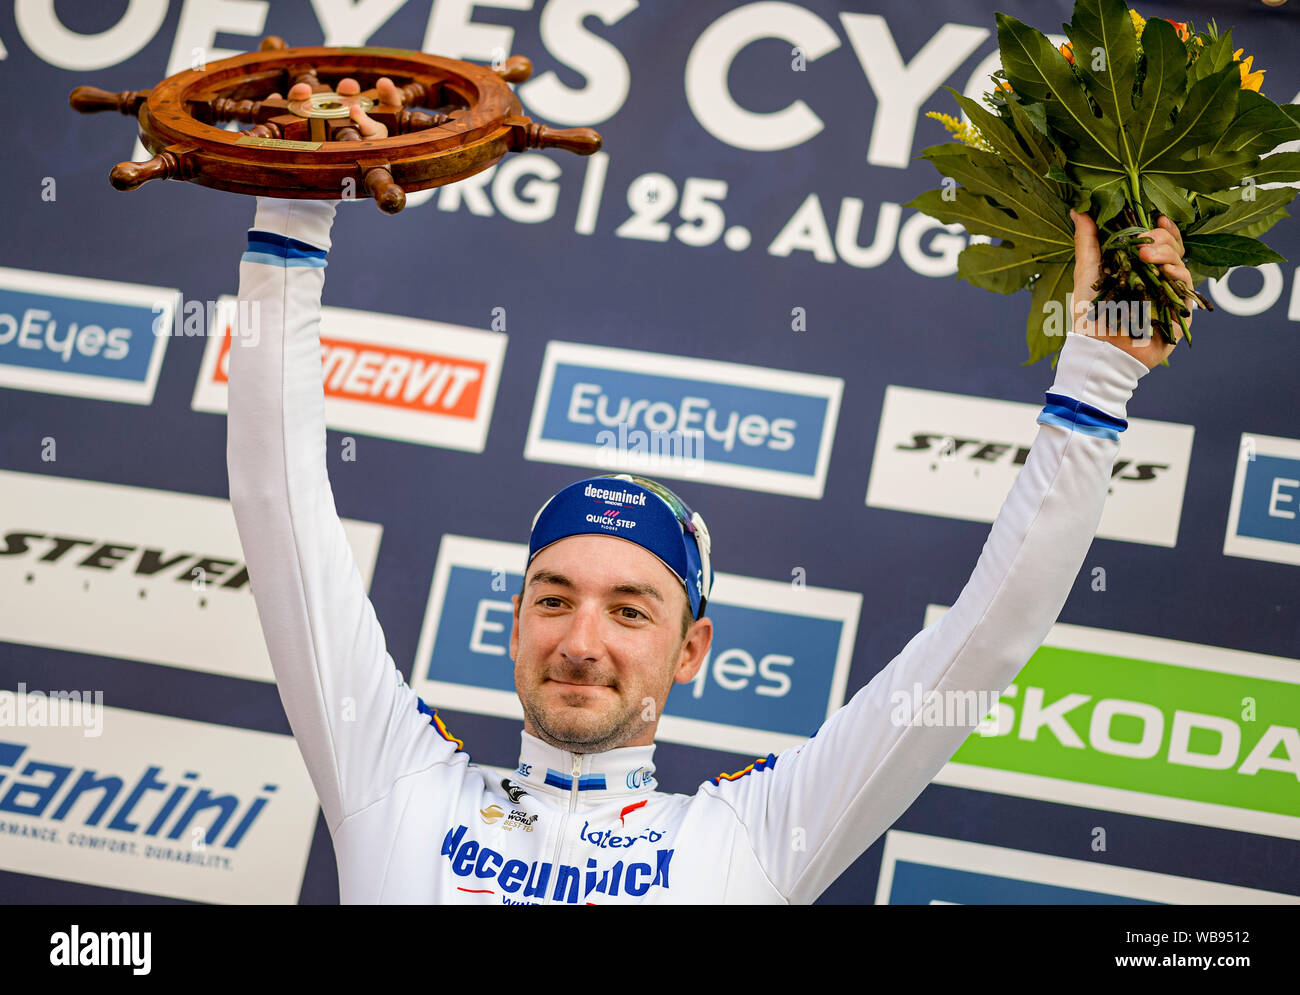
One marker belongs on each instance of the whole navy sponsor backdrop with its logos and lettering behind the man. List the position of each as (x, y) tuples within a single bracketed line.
[(736, 269)]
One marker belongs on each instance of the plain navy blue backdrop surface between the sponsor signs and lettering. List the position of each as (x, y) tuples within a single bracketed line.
[(872, 327)]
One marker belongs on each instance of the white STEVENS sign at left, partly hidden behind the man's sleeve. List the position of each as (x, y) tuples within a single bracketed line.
[(135, 573)]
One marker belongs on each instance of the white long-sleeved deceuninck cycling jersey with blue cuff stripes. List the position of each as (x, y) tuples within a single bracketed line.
[(415, 821)]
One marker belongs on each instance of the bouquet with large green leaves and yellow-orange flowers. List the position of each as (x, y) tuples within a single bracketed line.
[(1128, 120)]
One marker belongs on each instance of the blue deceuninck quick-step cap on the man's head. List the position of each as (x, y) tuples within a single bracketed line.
[(618, 505)]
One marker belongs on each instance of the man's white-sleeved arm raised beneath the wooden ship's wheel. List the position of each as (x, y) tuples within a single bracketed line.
[(357, 723)]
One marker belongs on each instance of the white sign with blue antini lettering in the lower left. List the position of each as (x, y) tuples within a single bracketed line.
[(162, 806)]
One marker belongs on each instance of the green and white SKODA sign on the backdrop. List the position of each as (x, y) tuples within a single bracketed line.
[(1149, 726)]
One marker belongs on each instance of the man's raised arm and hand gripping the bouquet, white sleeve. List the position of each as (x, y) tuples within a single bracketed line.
[(820, 806)]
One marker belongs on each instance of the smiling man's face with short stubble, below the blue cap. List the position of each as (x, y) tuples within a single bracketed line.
[(597, 643)]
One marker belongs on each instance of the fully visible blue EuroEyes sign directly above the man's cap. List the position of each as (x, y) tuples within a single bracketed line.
[(746, 427)]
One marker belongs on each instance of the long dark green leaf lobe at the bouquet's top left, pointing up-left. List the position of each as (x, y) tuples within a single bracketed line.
[(1038, 71)]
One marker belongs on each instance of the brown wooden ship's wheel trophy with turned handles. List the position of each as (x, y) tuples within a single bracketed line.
[(454, 120)]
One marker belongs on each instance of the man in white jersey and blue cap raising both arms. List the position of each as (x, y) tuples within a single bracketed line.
[(609, 620)]
